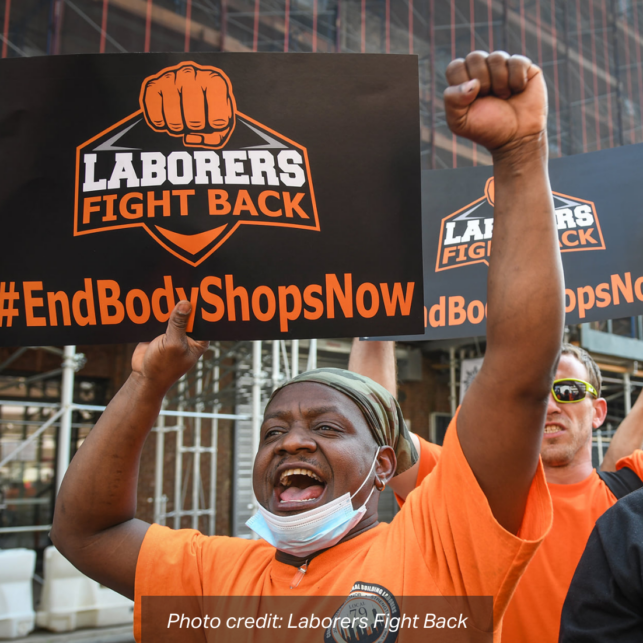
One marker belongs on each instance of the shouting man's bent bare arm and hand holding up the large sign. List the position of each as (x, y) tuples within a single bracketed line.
[(94, 525)]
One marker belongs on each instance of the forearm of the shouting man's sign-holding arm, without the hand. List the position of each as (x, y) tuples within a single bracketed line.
[(99, 488)]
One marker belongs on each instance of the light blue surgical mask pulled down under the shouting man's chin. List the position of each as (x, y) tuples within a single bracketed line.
[(305, 533)]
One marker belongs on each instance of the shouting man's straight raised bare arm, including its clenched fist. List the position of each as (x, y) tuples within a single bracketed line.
[(501, 102)]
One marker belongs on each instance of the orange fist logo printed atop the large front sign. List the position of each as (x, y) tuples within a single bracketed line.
[(192, 101)]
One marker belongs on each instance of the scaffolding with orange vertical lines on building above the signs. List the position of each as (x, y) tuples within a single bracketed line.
[(590, 51)]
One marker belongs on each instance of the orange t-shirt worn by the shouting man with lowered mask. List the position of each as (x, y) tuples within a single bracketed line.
[(444, 542)]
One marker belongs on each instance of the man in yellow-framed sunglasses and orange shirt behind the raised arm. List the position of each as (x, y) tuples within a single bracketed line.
[(579, 493)]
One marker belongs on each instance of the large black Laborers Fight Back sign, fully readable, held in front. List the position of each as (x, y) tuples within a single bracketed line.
[(280, 194)]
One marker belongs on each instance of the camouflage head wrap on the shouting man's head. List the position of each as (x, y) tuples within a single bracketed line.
[(380, 409)]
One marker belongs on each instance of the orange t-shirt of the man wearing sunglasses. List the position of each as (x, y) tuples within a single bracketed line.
[(533, 615)]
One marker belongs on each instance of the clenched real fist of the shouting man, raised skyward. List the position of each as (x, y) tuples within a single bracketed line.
[(495, 99)]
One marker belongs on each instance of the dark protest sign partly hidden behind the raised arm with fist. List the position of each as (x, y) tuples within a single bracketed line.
[(597, 197)]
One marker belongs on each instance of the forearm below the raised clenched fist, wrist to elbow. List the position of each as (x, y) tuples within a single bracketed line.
[(525, 285)]
